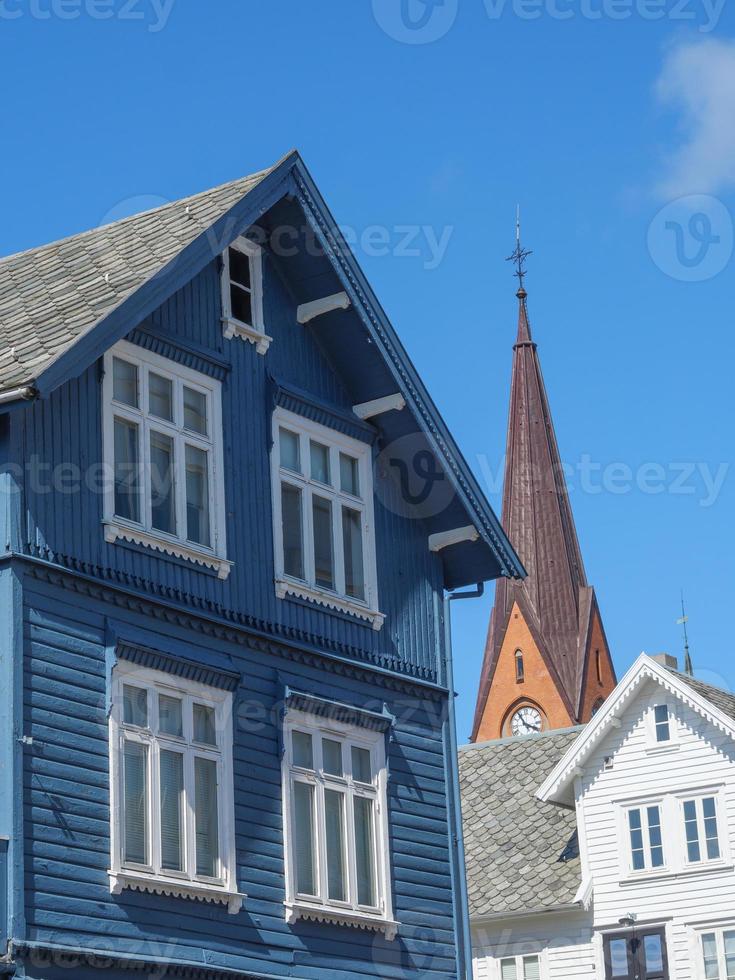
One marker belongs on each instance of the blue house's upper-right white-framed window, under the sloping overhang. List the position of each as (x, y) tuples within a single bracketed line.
[(323, 517)]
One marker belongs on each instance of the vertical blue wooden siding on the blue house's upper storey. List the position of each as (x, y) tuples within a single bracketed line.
[(66, 428)]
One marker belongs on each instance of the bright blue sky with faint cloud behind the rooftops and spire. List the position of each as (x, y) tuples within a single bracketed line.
[(610, 121)]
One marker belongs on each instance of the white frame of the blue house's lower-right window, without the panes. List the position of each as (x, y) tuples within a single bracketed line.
[(321, 908)]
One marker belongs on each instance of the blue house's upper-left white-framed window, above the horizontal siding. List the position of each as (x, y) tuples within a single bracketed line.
[(163, 443)]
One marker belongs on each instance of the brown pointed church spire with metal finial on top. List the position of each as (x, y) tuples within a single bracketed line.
[(554, 600)]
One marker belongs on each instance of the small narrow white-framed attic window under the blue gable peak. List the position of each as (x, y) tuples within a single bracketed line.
[(242, 293)]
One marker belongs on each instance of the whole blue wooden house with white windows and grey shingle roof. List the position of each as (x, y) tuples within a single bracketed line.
[(230, 518)]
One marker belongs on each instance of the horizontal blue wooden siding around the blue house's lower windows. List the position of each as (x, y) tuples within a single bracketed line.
[(66, 806)]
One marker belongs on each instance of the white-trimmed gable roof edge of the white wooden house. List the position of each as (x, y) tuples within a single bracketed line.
[(712, 703)]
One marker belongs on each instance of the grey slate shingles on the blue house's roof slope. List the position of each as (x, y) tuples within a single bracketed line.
[(51, 295)]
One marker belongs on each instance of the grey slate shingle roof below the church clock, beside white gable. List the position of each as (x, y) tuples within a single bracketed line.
[(522, 854)]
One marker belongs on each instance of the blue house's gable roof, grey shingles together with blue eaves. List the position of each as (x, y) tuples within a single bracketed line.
[(63, 305)]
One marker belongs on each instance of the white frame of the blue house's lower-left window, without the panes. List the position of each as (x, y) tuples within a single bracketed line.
[(150, 877)]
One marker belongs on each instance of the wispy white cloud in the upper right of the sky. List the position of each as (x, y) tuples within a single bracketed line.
[(697, 81)]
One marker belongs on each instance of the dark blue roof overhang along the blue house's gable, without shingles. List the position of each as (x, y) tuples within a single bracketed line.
[(360, 342)]
